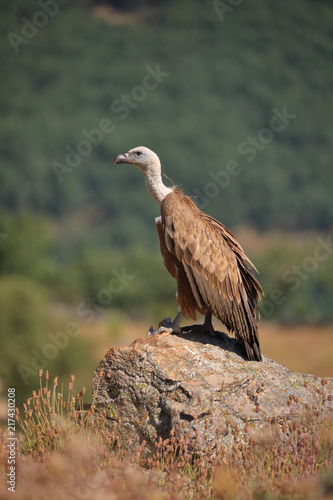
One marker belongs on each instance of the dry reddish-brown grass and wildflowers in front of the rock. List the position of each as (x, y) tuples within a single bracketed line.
[(65, 452)]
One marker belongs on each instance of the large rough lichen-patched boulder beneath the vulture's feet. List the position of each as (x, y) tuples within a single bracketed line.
[(200, 387)]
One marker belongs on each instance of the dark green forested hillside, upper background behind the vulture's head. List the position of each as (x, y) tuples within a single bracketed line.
[(224, 80)]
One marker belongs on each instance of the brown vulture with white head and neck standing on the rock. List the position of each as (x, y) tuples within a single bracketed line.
[(204, 257)]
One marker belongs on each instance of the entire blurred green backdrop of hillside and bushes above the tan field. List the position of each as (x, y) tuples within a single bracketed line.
[(247, 85)]
